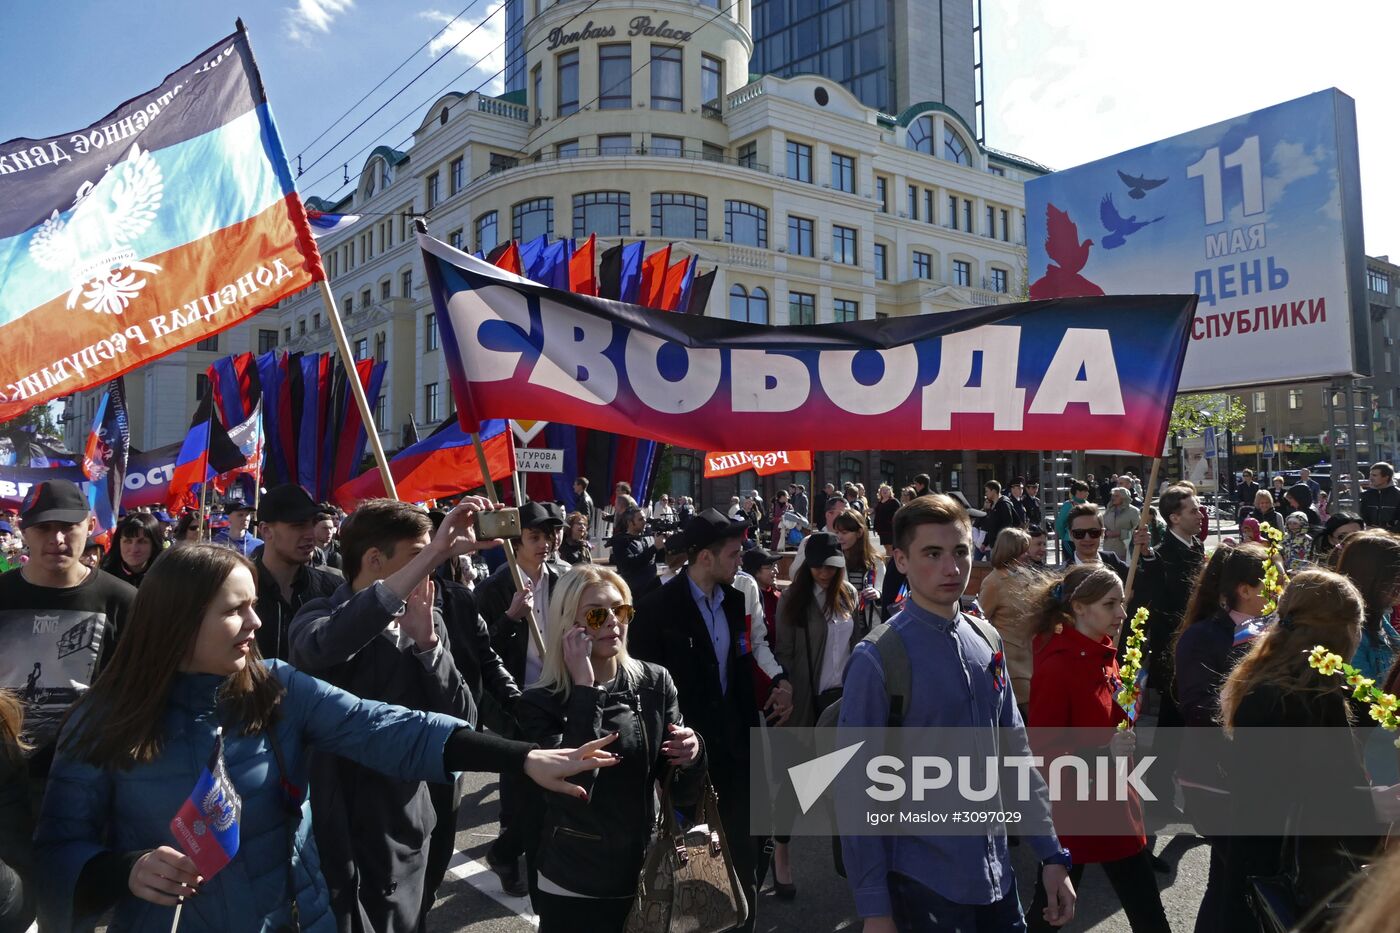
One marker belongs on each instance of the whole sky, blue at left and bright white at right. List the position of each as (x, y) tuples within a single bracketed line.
[(1067, 81)]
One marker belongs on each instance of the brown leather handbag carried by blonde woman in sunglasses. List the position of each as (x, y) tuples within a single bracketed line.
[(688, 880)]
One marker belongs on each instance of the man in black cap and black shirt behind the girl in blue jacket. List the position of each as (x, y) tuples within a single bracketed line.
[(286, 579)]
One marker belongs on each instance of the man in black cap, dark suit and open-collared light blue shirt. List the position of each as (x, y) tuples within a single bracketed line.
[(694, 627)]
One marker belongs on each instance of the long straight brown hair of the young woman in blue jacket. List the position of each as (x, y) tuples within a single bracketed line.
[(120, 721)]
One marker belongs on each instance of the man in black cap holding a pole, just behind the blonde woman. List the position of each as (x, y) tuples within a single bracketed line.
[(506, 613)]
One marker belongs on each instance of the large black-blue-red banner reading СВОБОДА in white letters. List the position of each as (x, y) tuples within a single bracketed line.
[(1063, 375)]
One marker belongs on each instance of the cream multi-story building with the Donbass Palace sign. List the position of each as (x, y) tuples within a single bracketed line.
[(640, 121)]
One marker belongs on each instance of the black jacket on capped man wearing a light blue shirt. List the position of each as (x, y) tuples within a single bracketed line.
[(670, 631)]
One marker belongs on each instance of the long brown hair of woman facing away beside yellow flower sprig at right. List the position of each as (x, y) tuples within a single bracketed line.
[(1319, 607)]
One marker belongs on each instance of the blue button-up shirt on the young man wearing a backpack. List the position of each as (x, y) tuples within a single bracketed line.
[(954, 687)]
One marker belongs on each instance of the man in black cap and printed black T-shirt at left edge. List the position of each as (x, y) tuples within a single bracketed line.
[(58, 618)]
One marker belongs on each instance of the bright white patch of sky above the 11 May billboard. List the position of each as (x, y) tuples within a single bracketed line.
[(1077, 82)]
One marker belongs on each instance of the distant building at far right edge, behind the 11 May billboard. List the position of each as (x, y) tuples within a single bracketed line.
[(1310, 422)]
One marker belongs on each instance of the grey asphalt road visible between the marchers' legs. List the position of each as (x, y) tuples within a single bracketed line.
[(471, 900)]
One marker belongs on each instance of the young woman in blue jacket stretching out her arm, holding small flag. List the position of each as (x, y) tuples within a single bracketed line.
[(136, 745)]
